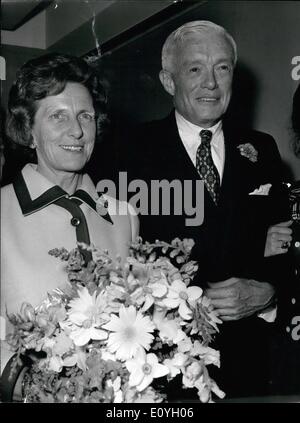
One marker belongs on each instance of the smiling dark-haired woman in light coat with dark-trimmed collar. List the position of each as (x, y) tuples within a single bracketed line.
[(56, 107)]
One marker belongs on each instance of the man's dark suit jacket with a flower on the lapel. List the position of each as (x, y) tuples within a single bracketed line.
[(231, 240)]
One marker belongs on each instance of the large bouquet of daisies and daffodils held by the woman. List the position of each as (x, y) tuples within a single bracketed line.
[(119, 331)]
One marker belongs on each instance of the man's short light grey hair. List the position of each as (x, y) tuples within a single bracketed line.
[(194, 27)]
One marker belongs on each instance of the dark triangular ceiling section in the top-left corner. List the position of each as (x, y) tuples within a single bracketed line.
[(15, 13)]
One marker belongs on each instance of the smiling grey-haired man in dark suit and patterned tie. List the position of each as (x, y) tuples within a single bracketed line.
[(194, 142)]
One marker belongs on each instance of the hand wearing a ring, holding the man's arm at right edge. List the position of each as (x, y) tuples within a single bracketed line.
[(279, 239)]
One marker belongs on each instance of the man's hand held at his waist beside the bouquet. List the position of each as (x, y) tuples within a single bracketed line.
[(236, 298)]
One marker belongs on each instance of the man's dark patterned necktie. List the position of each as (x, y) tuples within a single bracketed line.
[(206, 167)]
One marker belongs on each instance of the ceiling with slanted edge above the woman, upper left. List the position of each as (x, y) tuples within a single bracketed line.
[(78, 26)]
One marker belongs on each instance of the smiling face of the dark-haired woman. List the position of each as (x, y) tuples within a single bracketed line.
[(64, 130)]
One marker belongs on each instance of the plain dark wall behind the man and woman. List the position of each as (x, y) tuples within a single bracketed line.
[(268, 37)]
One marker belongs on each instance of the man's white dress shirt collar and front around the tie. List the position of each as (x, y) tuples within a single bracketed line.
[(190, 136)]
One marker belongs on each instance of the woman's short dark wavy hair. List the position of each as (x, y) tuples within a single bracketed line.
[(45, 76)]
